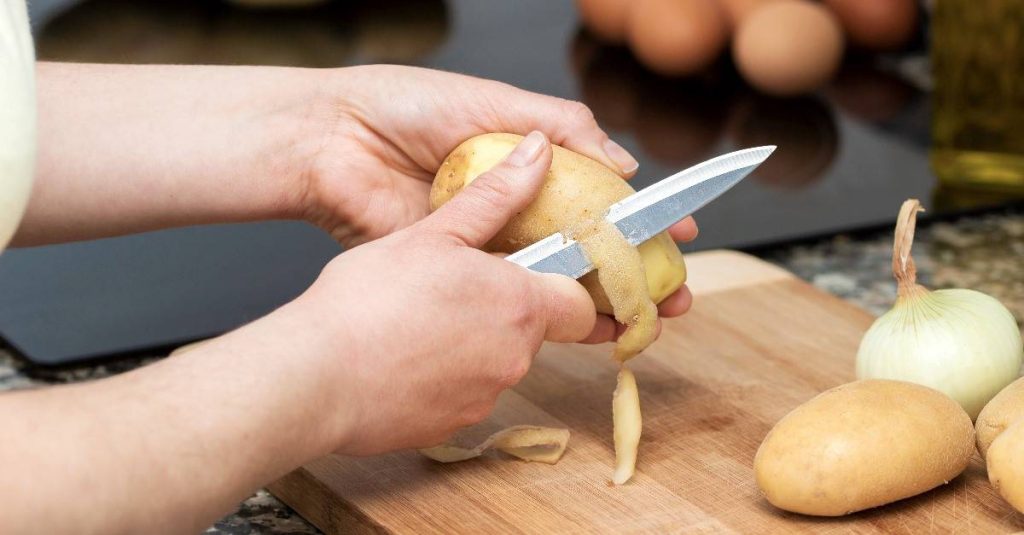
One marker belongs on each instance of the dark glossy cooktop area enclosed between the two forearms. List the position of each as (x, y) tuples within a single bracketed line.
[(93, 300)]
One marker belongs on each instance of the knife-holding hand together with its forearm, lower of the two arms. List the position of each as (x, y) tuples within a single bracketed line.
[(399, 344)]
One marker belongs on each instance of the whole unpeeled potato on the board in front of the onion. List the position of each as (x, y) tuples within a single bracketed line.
[(863, 445)]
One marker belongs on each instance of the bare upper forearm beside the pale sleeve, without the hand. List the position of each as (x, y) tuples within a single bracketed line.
[(126, 149)]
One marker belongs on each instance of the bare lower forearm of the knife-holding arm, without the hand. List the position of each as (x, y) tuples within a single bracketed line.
[(174, 446)]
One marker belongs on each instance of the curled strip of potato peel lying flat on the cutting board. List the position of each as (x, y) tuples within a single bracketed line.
[(530, 443)]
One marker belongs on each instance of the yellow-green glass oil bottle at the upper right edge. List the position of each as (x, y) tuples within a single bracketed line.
[(977, 52)]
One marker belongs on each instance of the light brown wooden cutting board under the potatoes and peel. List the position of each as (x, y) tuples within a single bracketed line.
[(757, 344)]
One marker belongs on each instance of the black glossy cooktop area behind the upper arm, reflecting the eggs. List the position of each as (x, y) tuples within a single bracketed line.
[(847, 157)]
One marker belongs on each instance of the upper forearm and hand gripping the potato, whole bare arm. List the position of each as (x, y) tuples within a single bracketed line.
[(352, 150)]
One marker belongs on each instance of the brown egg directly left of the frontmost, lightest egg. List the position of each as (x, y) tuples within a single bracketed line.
[(677, 37)]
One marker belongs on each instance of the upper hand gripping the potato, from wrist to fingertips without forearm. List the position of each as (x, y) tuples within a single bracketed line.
[(393, 128)]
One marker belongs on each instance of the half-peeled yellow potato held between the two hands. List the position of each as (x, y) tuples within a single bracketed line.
[(578, 189)]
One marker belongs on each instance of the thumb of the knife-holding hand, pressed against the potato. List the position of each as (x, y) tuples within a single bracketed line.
[(483, 209)]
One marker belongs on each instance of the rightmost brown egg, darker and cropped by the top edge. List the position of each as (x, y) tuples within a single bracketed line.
[(877, 25)]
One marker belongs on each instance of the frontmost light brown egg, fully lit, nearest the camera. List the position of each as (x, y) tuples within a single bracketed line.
[(789, 48)]
